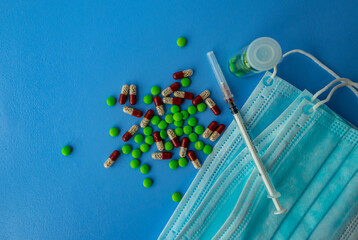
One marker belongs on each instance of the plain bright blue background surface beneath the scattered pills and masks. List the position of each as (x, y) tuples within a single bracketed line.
[(59, 61)]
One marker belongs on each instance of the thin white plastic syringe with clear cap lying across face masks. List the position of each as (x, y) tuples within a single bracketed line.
[(272, 193)]
